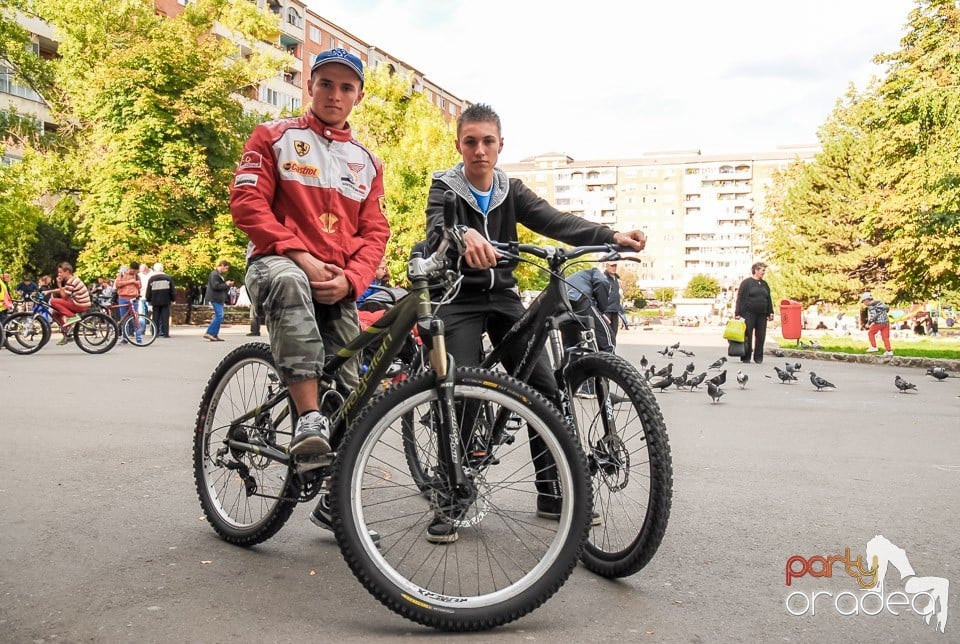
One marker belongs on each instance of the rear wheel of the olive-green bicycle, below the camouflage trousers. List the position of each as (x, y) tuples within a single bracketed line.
[(246, 497)]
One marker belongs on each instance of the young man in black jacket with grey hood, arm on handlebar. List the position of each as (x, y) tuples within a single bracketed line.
[(491, 205)]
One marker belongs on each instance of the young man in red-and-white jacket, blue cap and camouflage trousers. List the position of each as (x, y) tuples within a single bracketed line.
[(309, 197)]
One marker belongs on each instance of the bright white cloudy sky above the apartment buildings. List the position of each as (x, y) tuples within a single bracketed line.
[(603, 79)]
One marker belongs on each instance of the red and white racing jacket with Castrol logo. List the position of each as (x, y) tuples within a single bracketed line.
[(302, 185)]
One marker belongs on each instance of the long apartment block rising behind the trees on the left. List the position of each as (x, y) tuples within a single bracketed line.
[(304, 34)]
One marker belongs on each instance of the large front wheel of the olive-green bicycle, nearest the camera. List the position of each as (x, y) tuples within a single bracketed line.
[(503, 560)]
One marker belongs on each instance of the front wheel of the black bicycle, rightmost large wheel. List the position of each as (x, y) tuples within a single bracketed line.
[(625, 439)]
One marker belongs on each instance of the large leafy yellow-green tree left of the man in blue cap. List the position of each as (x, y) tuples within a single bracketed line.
[(154, 124)]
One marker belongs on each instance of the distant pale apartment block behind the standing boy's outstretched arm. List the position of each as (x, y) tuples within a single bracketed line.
[(698, 211)]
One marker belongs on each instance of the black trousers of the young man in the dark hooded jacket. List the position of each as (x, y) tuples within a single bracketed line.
[(465, 319)]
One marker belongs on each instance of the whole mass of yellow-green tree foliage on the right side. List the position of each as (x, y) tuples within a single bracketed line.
[(879, 208)]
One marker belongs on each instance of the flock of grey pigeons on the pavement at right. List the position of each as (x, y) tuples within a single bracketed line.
[(663, 379)]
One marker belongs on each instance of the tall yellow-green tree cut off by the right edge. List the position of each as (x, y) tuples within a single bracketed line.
[(917, 207)]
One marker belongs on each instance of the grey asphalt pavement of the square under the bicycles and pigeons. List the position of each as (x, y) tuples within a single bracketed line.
[(103, 539)]
